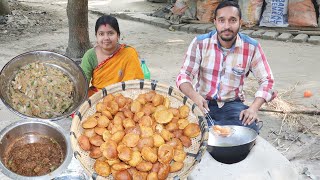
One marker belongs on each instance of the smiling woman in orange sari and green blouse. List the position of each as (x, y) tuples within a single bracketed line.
[(109, 61)]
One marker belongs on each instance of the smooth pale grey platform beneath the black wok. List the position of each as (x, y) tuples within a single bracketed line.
[(264, 162)]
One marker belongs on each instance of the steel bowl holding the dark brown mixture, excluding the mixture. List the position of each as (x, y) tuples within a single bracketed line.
[(33, 129)]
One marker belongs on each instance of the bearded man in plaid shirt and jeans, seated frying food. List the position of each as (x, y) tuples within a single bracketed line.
[(220, 61)]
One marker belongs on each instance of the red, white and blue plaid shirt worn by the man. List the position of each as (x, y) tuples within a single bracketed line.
[(220, 74)]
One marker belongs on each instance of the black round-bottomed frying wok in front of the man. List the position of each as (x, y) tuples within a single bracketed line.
[(233, 148)]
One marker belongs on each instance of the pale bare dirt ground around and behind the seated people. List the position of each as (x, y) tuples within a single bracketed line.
[(42, 25)]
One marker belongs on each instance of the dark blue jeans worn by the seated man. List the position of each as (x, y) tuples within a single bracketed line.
[(228, 114)]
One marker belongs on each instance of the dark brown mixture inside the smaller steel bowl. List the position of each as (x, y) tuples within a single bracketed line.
[(33, 159)]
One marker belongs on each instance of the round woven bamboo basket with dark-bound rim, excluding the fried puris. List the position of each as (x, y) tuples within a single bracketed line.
[(132, 89)]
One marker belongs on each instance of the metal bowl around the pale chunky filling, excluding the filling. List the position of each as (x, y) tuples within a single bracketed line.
[(65, 64)]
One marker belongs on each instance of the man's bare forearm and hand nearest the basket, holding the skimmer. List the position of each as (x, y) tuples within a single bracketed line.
[(188, 90)]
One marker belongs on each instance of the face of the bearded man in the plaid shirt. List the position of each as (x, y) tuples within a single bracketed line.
[(227, 22)]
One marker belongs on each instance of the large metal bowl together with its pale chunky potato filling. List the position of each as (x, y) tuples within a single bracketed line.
[(42, 85)]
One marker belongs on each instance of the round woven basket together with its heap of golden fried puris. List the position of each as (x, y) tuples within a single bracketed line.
[(139, 129)]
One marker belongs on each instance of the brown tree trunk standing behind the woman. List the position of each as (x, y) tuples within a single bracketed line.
[(78, 44)]
